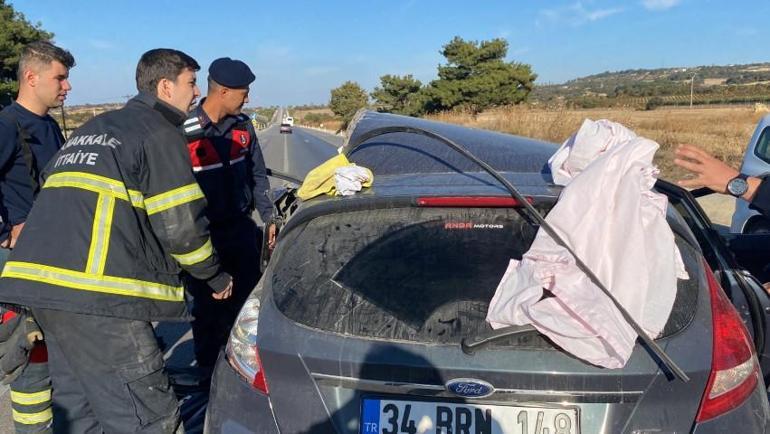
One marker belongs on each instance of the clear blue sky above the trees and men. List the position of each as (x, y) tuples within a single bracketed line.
[(300, 50)]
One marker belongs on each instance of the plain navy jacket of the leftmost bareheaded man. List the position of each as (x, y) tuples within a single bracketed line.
[(44, 138)]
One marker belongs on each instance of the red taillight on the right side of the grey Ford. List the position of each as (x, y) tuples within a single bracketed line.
[(734, 369)]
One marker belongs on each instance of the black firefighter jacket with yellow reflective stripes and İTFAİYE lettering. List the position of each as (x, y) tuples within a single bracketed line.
[(118, 218)]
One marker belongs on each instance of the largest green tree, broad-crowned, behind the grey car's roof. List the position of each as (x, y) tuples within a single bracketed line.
[(477, 77)]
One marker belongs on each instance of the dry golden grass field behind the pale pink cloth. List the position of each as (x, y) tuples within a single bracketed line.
[(722, 131)]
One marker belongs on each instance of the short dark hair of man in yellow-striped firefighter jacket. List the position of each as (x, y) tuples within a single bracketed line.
[(161, 63)]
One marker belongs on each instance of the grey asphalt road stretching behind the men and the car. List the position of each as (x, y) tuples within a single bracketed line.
[(294, 154)]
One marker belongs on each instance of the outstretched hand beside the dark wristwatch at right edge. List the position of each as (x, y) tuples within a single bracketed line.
[(709, 171)]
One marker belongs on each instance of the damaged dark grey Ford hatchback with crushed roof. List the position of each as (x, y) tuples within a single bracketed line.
[(369, 317)]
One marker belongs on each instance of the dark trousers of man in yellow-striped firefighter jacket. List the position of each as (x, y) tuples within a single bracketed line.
[(107, 375)]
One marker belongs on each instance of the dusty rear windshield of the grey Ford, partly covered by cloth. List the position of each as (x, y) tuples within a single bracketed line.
[(414, 274)]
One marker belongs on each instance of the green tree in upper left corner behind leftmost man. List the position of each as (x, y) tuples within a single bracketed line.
[(15, 33)]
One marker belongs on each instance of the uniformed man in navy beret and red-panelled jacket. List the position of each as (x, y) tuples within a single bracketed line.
[(228, 165)]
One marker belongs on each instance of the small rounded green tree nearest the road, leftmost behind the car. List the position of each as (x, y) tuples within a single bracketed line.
[(399, 95)]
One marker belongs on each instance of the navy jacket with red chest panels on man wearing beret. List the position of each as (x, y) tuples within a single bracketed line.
[(228, 165)]
